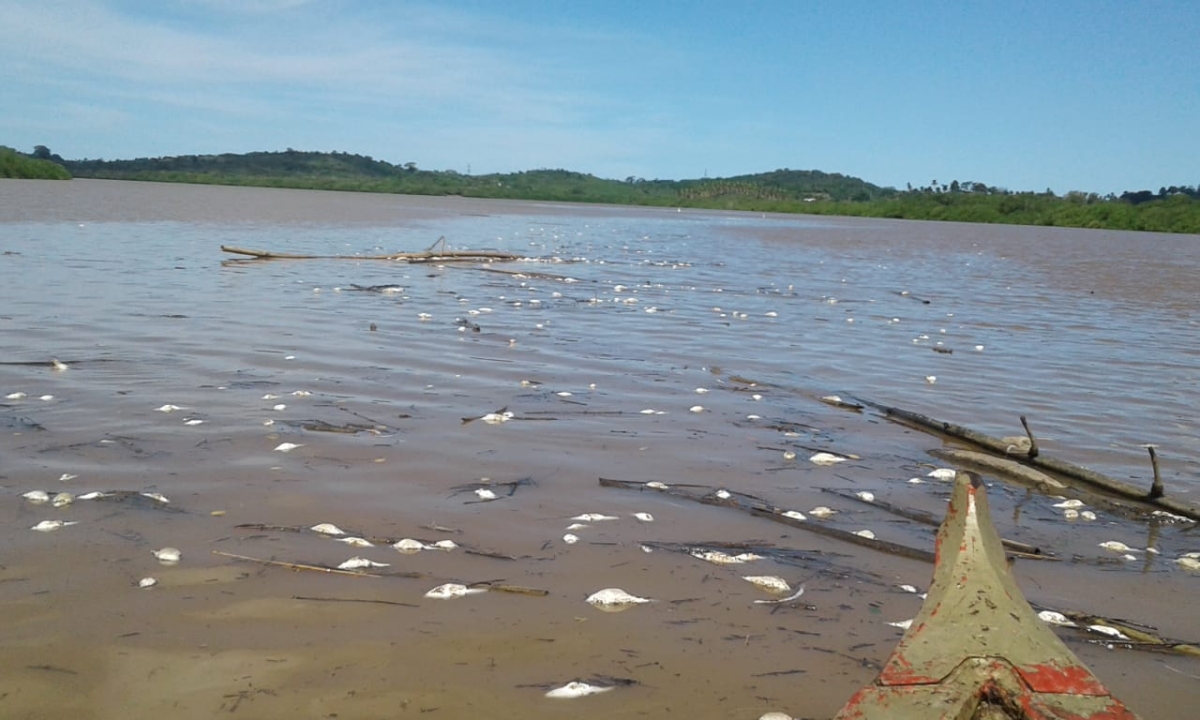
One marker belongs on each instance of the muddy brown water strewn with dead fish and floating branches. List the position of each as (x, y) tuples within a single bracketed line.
[(1090, 334)]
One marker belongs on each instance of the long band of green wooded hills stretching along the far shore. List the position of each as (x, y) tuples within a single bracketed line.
[(1174, 209)]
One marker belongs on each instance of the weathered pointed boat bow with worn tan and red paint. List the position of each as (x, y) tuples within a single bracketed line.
[(977, 651)]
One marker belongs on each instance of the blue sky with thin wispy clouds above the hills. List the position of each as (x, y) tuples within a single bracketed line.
[(1093, 95)]
